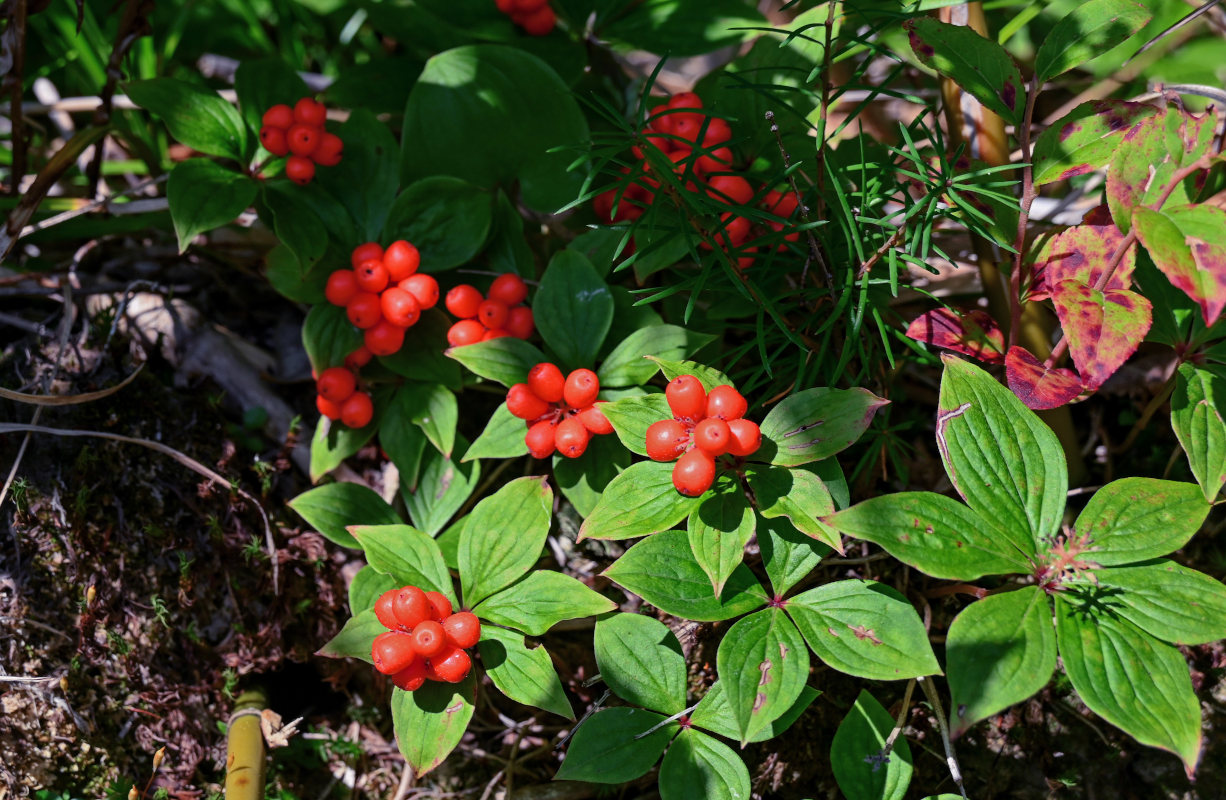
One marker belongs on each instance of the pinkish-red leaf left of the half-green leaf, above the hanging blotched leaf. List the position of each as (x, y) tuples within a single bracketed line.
[(1082, 254)]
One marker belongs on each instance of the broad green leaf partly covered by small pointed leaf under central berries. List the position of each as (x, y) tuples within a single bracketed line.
[(663, 572)]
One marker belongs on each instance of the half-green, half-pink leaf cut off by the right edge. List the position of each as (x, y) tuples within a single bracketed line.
[(1189, 244)]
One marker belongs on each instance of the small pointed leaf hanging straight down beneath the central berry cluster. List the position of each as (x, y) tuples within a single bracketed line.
[(720, 527)]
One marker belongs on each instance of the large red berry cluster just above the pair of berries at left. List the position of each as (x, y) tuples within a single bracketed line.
[(383, 295)]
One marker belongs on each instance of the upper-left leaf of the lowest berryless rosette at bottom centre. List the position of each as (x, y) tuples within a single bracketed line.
[(642, 661)]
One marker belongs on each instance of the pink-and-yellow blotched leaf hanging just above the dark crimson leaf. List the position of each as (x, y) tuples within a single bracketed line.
[(1104, 328)]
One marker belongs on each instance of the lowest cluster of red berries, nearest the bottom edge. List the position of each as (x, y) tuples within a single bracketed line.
[(425, 639)]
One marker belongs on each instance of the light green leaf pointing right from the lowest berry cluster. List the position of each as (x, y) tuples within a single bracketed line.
[(540, 601)]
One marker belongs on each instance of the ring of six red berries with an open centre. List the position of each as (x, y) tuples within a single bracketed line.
[(562, 413)]
